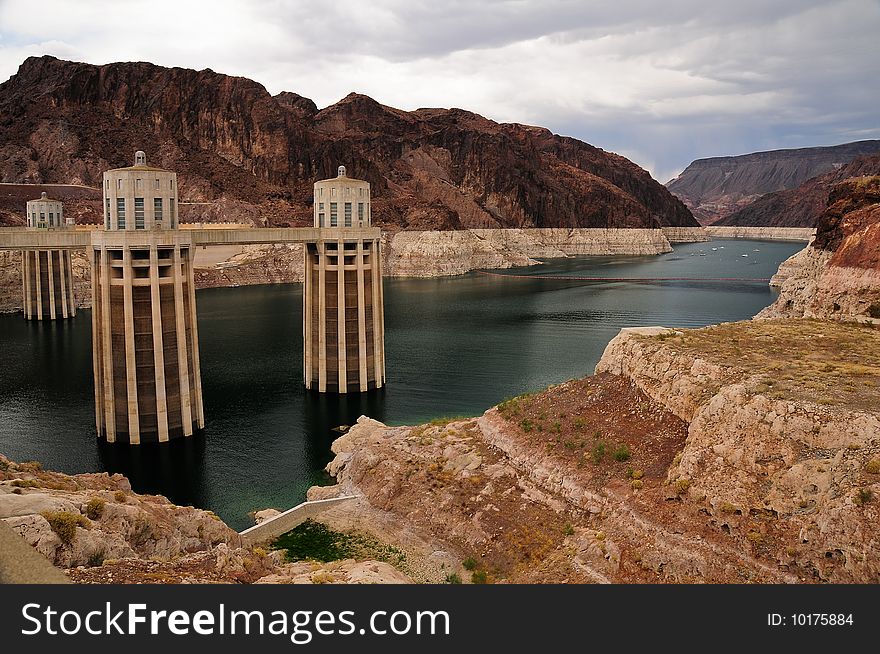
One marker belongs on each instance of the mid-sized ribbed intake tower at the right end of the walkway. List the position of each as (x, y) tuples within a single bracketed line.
[(343, 317)]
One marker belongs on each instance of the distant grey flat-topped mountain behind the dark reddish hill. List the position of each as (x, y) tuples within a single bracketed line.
[(716, 187)]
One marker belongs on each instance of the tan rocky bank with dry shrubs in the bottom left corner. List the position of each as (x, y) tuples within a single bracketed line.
[(98, 530)]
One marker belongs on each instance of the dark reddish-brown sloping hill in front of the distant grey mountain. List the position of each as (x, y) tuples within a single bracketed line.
[(801, 206)]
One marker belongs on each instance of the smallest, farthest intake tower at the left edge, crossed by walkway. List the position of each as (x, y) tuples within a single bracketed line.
[(46, 275)]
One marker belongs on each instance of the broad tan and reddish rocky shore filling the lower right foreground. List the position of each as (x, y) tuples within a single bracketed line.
[(712, 455)]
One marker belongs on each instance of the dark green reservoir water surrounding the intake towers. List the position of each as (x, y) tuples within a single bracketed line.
[(454, 346)]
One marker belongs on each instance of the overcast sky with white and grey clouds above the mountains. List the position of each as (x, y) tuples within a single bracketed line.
[(662, 83)]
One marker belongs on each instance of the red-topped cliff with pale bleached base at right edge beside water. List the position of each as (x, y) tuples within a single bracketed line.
[(838, 275)]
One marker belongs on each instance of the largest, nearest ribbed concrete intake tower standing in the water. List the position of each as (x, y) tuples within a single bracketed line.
[(144, 338)]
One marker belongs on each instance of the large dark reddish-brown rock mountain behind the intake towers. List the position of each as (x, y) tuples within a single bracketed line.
[(245, 155)]
